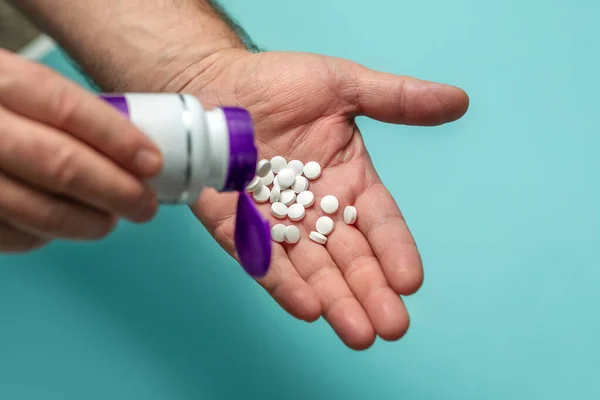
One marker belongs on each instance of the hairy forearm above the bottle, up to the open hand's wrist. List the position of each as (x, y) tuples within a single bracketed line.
[(138, 45)]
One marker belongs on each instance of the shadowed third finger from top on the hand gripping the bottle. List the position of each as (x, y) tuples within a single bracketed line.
[(47, 216)]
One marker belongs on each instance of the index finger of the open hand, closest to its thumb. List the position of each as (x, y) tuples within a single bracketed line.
[(381, 222)]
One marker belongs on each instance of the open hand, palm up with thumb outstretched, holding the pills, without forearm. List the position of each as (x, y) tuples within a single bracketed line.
[(303, 107)]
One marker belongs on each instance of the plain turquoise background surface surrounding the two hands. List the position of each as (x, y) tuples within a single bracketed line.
[(503, 203)]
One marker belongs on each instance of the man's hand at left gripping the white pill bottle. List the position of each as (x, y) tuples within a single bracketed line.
[(70, 164)]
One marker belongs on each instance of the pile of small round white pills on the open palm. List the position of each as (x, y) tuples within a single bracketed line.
[(285, 186)]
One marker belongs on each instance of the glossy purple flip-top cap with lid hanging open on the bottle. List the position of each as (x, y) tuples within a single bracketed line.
[(252, 233)]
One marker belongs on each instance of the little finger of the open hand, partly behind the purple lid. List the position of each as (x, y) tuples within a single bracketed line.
[(286, 286)]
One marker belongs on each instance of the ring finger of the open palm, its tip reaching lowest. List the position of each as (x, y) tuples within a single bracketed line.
[(340, 308)]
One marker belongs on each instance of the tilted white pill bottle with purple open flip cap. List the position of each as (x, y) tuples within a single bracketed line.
[(201, 149)]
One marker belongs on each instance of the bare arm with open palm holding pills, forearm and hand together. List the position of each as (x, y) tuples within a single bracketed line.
[(303, 107)]
